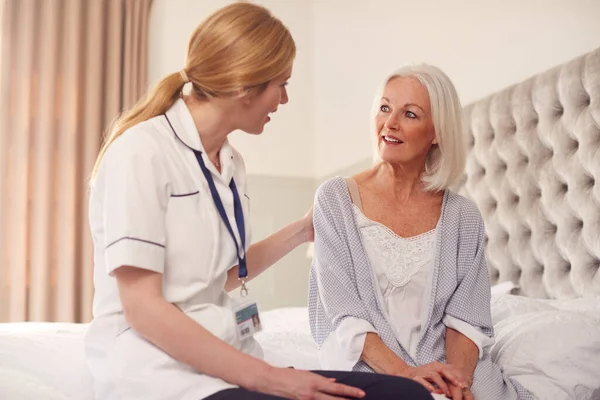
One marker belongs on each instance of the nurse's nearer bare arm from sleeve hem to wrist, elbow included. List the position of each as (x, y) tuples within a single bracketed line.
[(171, 330)]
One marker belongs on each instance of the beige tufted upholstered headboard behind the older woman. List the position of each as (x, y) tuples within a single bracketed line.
[(534, 171)]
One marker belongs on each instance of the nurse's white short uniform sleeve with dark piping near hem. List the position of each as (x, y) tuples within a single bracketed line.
[(135, 196)]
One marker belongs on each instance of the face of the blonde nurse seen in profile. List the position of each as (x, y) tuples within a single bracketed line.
[(257, 106)]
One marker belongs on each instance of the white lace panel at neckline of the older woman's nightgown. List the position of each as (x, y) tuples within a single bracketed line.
[(400, 257)]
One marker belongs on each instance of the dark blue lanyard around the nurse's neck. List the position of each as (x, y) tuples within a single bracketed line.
[(238, 212)]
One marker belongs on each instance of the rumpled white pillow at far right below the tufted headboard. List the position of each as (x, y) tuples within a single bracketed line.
[(555, 354)]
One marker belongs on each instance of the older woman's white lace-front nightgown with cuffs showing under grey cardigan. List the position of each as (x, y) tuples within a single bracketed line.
[(402, 269)]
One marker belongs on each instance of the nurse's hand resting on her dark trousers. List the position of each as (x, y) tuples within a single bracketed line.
[(304, 385)]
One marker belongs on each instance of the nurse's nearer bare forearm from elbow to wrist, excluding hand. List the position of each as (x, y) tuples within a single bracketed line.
[(171, 330)]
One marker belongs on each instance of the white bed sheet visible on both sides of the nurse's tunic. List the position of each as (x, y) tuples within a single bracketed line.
[(46, 360)]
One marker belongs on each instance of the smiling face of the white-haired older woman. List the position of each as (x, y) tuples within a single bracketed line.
[(404, 126)]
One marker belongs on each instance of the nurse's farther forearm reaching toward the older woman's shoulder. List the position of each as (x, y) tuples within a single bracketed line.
[(268, 251)]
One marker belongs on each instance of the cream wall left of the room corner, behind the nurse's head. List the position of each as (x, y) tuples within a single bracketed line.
[(286, 147)]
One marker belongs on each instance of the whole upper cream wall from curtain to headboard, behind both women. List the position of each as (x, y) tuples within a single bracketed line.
[(345, 48)]
